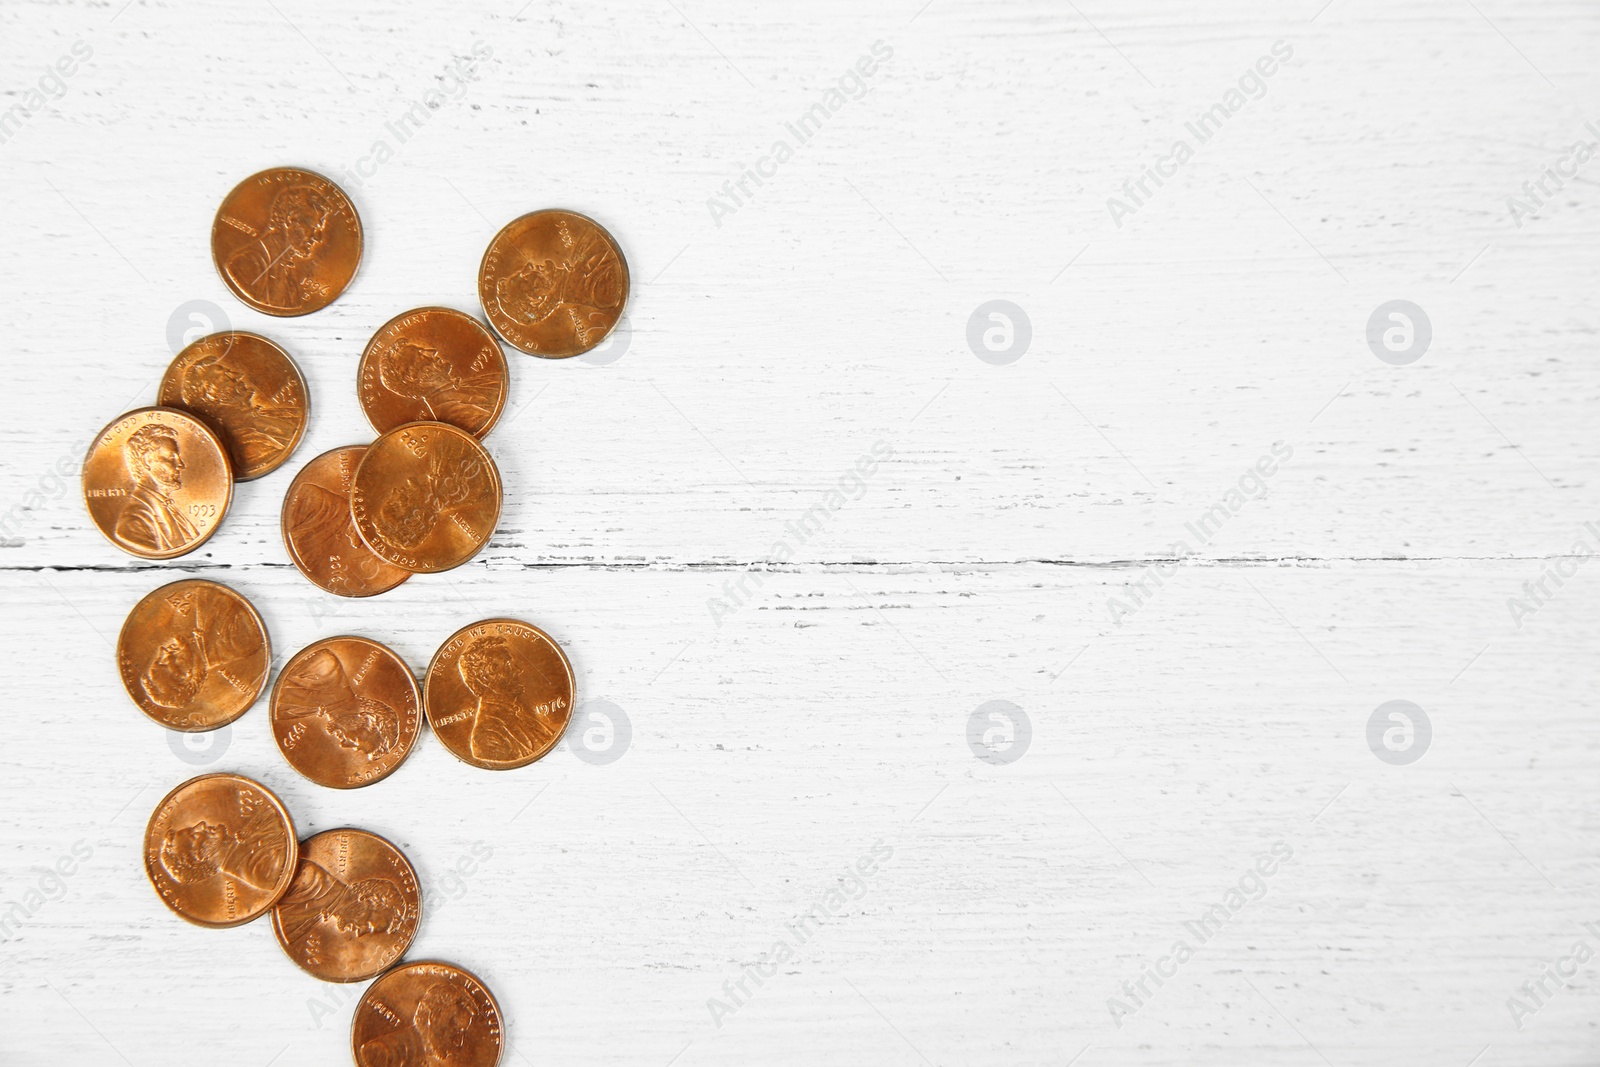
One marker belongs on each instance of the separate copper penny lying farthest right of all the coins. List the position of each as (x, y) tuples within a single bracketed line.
[(554, 284)]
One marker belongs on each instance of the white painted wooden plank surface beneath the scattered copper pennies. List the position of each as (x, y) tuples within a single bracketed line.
[(790, 709)]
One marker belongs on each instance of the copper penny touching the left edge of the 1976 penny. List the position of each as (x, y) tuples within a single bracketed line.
[(346, 713)]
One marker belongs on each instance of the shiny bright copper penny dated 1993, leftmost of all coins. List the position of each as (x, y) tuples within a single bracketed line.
[(158, 482)]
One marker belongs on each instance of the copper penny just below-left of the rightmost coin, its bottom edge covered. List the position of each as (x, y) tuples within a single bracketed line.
[(433, 366)]
